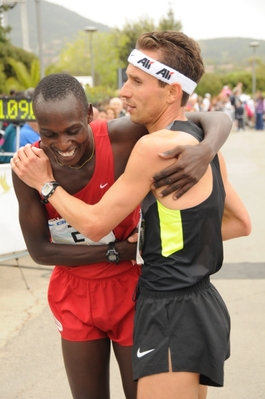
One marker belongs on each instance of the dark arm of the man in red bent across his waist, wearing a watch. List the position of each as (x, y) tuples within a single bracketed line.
[(33, 222)]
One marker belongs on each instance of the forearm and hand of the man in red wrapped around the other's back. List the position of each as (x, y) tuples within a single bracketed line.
[(193, 160)]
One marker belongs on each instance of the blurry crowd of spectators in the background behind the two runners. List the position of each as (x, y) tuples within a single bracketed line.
[(244, 111)]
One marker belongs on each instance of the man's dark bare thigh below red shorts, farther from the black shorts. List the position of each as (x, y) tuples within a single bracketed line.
[(87, 368)]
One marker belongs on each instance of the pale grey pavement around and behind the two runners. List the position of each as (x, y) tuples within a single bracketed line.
[(31, 364)]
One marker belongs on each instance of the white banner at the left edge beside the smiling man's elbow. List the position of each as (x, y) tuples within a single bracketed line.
[(11, 238)]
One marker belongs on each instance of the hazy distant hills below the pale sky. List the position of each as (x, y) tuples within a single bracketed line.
[(60, 25)]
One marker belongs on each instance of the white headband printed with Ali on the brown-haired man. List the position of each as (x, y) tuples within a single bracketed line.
[(160, 71)]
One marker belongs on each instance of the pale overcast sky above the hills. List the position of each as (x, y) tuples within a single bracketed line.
[(205, 19)]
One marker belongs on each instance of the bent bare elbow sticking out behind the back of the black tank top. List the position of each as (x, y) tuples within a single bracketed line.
[(236, 221)]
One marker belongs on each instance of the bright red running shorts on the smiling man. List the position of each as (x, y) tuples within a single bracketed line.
[(94, 309)]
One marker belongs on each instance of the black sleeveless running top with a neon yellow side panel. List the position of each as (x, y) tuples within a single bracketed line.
[(181, 247)]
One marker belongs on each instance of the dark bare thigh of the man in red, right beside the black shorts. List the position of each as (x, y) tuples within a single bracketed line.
[(124, 358)]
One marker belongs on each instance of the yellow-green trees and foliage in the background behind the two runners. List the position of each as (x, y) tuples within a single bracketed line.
[(20, 69)]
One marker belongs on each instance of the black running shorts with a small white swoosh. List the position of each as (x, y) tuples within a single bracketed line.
[(194, 323)]
